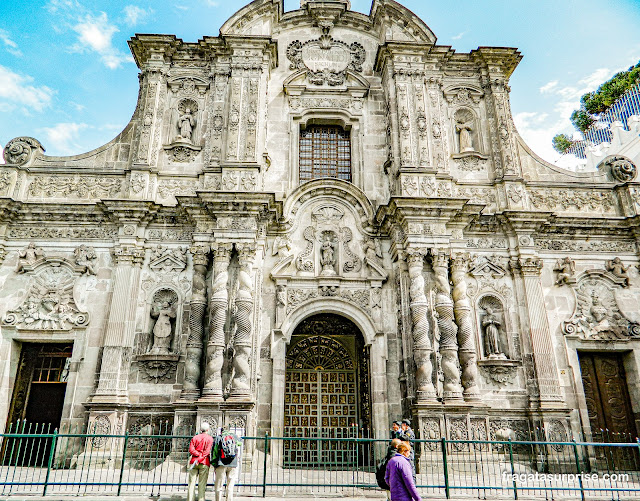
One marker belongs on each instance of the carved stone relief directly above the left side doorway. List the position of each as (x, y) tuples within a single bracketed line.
[(49, 304)]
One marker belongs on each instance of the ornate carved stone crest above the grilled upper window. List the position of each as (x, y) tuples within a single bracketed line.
[(325, 59)]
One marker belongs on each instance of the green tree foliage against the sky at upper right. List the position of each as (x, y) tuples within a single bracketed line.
[(594, 103)]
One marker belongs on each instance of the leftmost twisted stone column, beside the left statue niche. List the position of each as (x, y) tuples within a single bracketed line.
[(191, 389)]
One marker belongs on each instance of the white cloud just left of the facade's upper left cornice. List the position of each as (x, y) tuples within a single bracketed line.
[(95, 33)]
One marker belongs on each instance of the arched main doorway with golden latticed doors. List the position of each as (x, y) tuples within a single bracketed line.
[(326, 389)]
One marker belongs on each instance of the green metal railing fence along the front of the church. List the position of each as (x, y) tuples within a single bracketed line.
[(35, 460)]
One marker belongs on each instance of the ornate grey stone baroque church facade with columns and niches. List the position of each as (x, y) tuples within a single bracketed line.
[(315, 220)]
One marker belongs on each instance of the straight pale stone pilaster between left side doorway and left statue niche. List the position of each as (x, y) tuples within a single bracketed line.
[(117, 346)]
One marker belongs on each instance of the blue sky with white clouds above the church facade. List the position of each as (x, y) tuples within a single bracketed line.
[(67, 77)]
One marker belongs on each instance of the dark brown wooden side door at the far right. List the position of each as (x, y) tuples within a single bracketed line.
[(607, 395)]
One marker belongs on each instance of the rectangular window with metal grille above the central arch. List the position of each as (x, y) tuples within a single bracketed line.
[(325, 151)]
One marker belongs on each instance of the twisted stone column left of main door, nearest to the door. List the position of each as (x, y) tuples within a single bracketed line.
[(240, 383)]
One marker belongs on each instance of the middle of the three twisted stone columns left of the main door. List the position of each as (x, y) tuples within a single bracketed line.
[(218, 312)]
